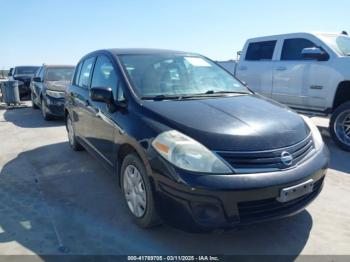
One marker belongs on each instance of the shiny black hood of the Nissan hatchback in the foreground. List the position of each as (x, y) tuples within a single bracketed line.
[(237, 123)]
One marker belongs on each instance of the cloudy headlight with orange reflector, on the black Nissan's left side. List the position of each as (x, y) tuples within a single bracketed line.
[(186, 153)]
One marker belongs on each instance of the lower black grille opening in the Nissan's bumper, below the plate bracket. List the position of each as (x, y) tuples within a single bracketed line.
[(268, 208)]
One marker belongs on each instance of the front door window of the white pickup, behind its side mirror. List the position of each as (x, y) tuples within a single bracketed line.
[(292, 48)]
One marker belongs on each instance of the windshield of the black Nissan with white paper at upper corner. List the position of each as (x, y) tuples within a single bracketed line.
[(178, 75)]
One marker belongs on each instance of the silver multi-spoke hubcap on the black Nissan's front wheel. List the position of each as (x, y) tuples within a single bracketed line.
[(134, 190)]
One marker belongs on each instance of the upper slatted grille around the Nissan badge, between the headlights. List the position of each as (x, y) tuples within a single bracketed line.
[(268, 160)]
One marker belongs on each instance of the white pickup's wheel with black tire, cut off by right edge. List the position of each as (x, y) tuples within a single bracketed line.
[(339, 126)]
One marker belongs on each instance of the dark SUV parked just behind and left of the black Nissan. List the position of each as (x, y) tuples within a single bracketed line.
[(48, 89)]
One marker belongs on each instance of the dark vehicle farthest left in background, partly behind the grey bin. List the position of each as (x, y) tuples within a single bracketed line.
[(23, 74)]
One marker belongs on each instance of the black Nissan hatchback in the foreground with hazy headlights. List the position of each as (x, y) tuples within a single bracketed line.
[(190, 144)]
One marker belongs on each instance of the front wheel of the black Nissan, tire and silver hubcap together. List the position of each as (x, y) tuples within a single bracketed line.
[(145, 215)]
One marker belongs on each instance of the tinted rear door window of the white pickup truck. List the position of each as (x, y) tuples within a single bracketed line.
[(258, 51)]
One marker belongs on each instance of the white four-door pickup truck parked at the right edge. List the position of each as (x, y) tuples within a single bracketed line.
[(308, 72)]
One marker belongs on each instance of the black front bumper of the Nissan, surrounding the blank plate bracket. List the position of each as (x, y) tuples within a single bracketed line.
[(223, 201)]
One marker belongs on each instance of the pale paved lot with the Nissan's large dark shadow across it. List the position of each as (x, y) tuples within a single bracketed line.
[(56, 201)]
